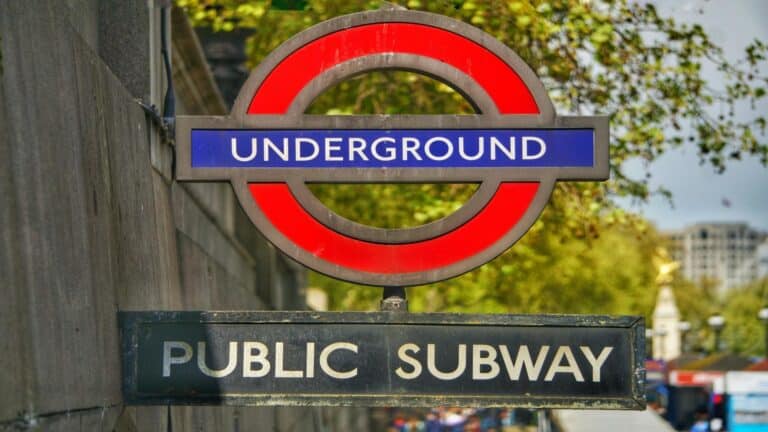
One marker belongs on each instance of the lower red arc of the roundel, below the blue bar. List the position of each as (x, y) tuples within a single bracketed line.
[(501, 214)]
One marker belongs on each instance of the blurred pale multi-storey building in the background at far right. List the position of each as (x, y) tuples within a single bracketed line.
[(723, 252)]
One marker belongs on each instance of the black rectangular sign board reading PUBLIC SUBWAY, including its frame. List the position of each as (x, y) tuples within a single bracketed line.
[(382, 358)]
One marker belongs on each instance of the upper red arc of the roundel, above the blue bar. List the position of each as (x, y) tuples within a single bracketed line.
[(500, 81)]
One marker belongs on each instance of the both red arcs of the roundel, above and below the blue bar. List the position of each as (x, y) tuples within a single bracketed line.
[(285, 82)]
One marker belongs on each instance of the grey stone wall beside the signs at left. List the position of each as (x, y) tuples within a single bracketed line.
[(92, 223)]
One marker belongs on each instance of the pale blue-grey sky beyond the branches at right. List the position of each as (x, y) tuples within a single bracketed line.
[(698, 191)]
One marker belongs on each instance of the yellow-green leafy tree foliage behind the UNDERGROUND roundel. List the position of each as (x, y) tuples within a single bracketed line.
[(611, 57)]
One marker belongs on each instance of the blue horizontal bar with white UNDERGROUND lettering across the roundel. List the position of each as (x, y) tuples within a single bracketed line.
[(403, 148)]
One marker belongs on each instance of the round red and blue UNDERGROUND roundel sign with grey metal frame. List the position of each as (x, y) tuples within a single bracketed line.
[(515, 147)]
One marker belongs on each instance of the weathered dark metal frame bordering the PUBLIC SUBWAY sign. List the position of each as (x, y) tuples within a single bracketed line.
[(136, 327)]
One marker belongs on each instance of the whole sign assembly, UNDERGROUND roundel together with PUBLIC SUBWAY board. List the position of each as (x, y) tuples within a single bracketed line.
[(515, 148)]
